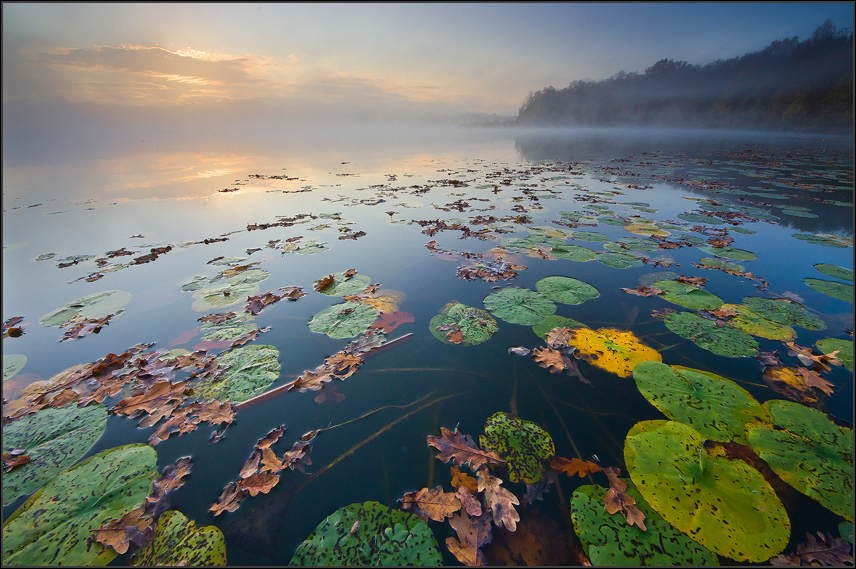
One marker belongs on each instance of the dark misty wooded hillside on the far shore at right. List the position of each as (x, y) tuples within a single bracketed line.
[(789, 85)]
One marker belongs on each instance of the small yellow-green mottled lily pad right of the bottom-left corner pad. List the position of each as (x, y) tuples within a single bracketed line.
[(178, 541)]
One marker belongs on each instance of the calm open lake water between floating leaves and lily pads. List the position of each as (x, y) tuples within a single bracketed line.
[(381, 182)]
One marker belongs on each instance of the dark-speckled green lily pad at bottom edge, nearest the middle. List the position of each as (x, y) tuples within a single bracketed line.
[(382, 537)]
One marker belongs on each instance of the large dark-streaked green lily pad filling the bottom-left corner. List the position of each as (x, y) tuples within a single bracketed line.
[(51, 527)]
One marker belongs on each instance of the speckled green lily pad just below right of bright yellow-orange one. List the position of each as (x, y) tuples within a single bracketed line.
[(714, 406)]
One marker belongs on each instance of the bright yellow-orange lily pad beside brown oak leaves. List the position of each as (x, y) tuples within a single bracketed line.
[(616, 351)]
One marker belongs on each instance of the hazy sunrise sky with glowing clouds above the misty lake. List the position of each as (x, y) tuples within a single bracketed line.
[(310, 59)]
